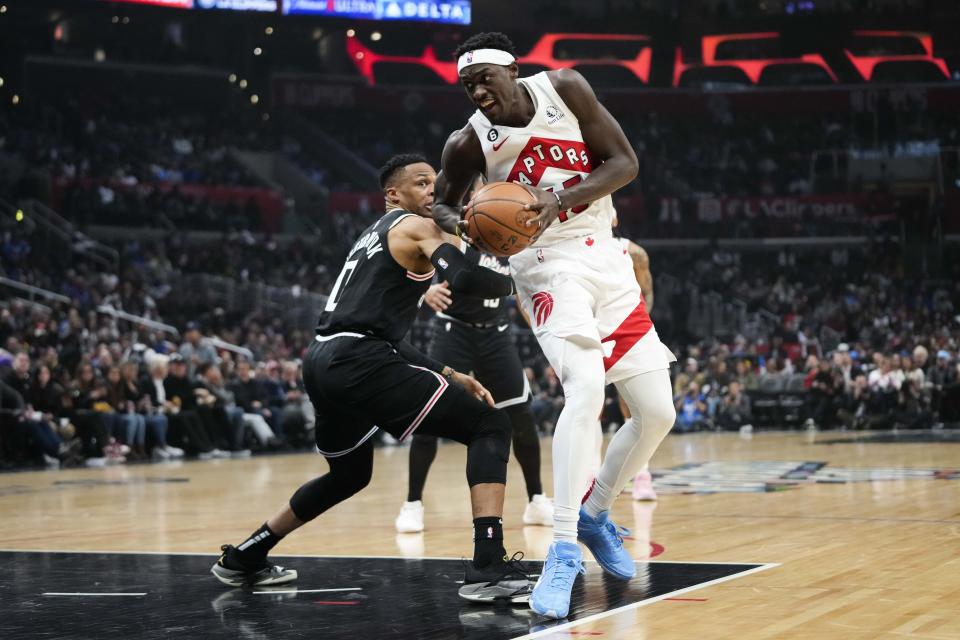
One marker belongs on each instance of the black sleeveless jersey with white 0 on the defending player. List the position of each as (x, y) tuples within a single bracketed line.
[(373, 294)]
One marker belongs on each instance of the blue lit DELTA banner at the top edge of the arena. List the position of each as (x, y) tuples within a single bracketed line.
[(452, 12)]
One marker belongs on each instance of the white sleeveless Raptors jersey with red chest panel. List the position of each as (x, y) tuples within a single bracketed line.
[(548, 153)]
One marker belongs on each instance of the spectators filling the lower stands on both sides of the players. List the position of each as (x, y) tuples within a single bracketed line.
[(858, 342)]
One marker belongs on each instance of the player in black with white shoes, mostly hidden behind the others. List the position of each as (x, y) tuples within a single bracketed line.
[(473, 334)]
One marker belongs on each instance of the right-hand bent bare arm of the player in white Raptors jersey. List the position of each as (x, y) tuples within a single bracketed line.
[(616, 163)]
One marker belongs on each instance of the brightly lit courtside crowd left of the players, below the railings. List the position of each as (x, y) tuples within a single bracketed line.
[(83, 390)]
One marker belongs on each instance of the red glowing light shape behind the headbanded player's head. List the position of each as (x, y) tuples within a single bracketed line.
[(541, 54)]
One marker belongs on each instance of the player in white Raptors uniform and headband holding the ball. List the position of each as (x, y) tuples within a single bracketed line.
[(550, 133)]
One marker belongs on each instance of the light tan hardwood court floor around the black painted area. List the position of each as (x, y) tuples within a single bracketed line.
[(862, 554)]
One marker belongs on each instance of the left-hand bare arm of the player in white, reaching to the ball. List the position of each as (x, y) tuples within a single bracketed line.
[(460, 163)]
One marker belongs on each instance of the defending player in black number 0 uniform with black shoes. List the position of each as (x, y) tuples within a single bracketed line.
[(361, 376)]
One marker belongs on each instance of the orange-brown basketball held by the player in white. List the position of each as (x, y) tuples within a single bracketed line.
[(496, 218)]
